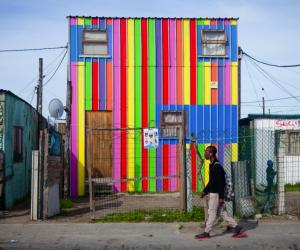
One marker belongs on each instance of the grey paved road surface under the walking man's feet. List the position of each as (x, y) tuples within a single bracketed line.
[(144, 236)]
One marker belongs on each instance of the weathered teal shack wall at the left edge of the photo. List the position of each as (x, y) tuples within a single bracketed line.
[(18, 113)]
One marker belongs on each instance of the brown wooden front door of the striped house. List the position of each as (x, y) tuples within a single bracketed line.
[(99, 143)]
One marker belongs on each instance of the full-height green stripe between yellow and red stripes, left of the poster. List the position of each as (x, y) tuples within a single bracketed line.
[(137, 106)]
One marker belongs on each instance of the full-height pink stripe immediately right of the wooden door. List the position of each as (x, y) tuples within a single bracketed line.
[(116, 104)]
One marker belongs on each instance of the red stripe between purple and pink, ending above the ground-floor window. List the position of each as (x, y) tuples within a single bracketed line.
[(165, 56)]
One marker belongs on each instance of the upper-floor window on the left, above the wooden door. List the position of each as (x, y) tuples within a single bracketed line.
[(94, 43)]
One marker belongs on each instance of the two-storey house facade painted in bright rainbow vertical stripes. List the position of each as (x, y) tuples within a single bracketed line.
[(137, 67)]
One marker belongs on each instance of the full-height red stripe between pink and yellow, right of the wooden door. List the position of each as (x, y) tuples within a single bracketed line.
[(123, 104)]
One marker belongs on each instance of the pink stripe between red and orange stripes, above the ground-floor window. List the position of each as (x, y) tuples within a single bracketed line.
[(172, 62)]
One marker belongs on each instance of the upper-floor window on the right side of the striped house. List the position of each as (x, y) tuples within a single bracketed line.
[(213, 43)]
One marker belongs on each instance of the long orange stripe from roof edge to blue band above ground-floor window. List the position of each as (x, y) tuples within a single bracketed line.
[(179, 62)]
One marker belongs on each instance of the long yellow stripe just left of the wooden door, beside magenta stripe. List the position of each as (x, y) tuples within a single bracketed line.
[(81, 132)]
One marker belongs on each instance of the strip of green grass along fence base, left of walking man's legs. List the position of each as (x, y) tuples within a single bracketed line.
[(196, 215)]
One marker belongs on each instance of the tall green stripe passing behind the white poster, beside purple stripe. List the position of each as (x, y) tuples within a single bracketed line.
[(152, 152)]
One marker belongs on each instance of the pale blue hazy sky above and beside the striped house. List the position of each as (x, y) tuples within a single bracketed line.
[(269, 30)]
